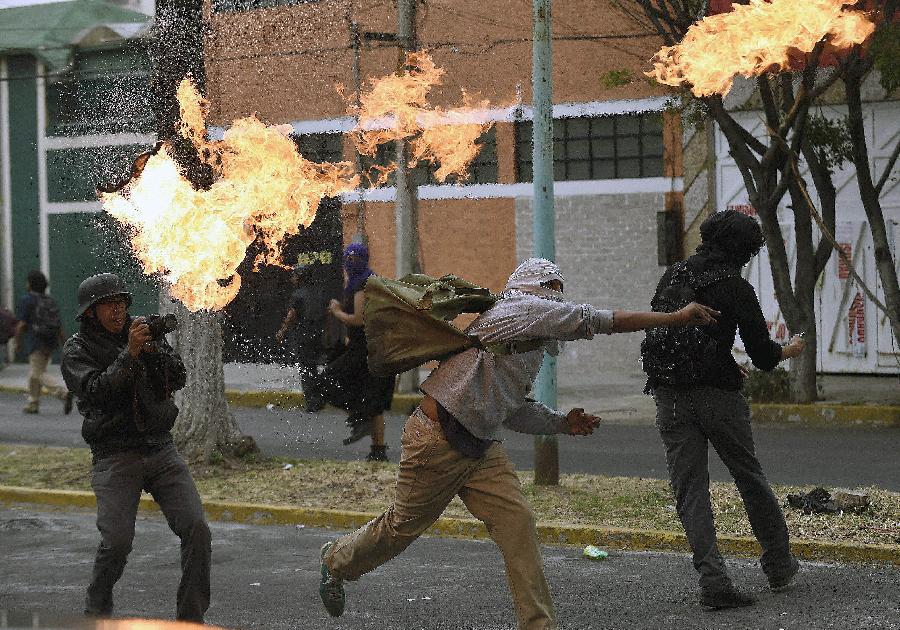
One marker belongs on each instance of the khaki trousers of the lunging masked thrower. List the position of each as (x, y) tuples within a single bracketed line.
[(431, 474)]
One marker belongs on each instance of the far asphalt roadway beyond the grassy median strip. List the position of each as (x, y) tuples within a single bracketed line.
[(831, 457)]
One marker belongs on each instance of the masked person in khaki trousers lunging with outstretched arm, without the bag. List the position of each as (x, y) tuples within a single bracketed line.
[(450, 444)]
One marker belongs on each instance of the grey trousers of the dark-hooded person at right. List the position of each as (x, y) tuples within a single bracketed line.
[(688, 420)]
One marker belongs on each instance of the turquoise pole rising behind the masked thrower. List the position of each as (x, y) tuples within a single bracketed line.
[(546, 448)]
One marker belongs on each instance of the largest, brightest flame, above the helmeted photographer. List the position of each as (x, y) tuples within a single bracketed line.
[(195, 239)]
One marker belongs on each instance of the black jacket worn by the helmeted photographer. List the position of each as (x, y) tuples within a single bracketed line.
[(126, 402)]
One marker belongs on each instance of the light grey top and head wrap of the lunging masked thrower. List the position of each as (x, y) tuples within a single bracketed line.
[(483, 390)]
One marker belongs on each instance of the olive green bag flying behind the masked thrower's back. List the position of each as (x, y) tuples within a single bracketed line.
[(407, 321)]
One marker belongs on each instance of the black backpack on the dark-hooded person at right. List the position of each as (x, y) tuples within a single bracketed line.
[(679, 355)]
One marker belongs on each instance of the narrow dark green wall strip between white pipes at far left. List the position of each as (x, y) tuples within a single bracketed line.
[(24, 196)]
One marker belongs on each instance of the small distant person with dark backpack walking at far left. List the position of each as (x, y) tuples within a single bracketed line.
[(41, 327)]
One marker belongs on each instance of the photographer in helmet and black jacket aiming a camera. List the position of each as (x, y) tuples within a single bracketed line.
[(124, 373)]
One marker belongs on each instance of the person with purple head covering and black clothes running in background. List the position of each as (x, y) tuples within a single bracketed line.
[(346, 382)]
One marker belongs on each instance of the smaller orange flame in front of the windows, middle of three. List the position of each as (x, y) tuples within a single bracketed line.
[(396, 108)]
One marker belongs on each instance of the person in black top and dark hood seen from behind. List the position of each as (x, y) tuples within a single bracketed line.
[(696, 384)]
